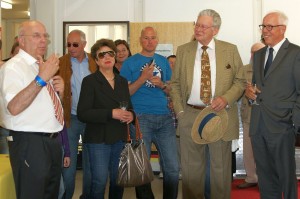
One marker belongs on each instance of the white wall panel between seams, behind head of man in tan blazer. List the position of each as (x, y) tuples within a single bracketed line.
[(237, 17)]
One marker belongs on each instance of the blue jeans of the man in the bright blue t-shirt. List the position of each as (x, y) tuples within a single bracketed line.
[(160, 130)]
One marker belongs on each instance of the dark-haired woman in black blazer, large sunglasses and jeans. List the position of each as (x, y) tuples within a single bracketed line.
[(106, 124)]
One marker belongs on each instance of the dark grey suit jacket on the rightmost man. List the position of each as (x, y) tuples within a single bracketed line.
[(279, 101)]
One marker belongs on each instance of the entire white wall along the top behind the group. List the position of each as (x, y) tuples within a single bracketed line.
[(240, 17)]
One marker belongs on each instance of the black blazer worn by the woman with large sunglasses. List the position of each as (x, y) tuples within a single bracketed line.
[(96, 101)]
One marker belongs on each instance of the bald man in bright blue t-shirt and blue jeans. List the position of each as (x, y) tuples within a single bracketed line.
[(148, 75)]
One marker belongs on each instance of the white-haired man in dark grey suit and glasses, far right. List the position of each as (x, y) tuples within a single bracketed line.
[(276, 70)]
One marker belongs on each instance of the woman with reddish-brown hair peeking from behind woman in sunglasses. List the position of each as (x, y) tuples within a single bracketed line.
[(123, 52)]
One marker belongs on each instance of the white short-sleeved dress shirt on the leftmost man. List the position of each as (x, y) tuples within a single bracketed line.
[(15, 75)]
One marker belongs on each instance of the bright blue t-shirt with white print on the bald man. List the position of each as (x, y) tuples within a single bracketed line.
[(148, 99)]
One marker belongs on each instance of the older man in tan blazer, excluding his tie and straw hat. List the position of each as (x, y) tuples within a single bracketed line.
[(227, 87)]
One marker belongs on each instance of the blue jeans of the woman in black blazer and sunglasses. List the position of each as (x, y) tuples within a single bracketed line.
[(104, 160)]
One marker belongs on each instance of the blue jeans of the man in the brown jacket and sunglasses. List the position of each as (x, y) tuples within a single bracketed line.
[(76, 129)]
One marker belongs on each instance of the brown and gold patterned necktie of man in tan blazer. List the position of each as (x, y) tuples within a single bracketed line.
[(205, 90)]
